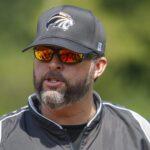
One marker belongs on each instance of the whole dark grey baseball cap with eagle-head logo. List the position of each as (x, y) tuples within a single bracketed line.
[(70, 27)]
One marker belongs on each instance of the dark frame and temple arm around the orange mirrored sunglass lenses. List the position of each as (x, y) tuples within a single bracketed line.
[(56, 50)]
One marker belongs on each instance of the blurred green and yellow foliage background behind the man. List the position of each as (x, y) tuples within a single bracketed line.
[(127, 78)]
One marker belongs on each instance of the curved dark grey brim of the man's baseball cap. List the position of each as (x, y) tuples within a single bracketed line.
[(59, 42)]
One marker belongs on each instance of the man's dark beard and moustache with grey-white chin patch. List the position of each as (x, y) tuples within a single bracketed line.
[(69, 94)]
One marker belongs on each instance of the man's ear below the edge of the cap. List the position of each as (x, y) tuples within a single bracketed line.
[(100, 66)]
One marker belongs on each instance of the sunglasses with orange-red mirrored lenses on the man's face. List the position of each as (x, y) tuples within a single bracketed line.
[(45, 54)]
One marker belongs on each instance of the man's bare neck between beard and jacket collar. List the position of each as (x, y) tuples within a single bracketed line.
[(74, 114)]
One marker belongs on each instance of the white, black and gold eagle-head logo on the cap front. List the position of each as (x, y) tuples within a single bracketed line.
[(61, 20)]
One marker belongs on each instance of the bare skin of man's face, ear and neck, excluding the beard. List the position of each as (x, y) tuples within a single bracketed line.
[(81, 111)]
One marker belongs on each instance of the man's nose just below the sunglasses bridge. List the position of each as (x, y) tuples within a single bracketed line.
[(55, 63)]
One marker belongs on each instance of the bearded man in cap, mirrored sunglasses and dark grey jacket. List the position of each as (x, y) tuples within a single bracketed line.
[(65, 113)]
